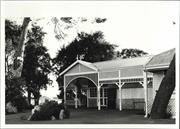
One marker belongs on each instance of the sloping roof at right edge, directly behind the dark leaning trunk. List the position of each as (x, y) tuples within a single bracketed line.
[(161, 61)]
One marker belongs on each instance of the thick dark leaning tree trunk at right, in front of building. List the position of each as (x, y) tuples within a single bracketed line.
[(164, 93)]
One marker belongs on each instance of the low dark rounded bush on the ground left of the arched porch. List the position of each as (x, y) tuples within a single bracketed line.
[(48, 110)]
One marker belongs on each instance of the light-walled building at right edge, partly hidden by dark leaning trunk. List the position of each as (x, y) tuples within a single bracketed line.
[(158, 66)]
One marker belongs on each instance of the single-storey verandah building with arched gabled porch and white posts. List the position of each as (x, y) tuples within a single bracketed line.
[(119, 83)]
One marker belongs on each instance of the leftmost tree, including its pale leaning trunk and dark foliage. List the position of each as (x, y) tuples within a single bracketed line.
[(14, 83)]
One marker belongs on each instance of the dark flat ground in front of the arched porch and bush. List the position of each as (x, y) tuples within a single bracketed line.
[(92, 116)]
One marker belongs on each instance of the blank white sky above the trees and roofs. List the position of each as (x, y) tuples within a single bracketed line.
[(151, 26)]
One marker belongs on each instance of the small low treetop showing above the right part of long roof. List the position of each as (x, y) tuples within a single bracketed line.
[(129, 53)]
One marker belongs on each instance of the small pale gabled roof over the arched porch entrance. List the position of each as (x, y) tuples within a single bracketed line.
[(87, 64)]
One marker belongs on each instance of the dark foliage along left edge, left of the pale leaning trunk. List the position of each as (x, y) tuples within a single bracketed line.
[(14, 86)]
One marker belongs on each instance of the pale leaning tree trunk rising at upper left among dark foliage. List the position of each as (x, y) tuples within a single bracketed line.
[(19, 53)]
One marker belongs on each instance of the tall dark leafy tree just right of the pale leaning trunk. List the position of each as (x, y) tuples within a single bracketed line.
[(36, 65)]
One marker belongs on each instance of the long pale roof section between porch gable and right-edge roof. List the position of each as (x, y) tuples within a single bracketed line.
[(122, 63)]
